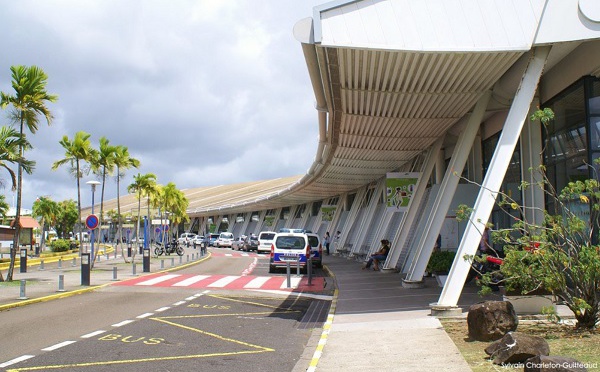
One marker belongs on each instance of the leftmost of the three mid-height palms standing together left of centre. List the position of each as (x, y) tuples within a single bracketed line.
[(76, 150)]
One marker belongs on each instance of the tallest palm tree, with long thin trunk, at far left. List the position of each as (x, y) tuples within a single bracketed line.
[(28, 101)]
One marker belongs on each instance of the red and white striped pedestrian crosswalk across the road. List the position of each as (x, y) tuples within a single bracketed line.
[(230, 282)]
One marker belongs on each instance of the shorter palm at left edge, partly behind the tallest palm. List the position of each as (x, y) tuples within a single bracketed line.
[(10, 153)]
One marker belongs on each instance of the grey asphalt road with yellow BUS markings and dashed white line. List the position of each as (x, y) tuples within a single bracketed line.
[(132, 328)]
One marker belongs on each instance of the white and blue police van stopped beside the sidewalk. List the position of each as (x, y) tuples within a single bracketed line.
[(289, 247)]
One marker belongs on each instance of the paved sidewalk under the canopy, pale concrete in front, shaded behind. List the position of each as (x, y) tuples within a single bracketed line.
[(377, 325)]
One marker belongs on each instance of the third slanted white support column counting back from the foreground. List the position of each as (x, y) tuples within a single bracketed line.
[(399, 241)]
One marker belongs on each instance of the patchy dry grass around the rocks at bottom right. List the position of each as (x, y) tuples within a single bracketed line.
[(563, 340)]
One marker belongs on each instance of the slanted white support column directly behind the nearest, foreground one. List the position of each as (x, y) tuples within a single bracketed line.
[(447, 189)]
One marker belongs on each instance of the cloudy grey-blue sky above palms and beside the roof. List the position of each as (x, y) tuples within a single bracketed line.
[(202, 92)]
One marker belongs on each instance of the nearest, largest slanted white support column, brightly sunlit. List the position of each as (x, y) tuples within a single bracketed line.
[(493, 180)]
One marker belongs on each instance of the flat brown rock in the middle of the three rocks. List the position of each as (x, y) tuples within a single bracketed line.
[(516, 347)]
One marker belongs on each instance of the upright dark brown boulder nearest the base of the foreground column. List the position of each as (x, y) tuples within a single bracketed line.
[(491, 320)]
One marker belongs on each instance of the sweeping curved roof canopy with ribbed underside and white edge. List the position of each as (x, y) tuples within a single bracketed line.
[(392, 76)]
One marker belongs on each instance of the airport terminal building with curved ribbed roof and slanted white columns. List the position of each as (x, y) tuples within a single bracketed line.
[(423, 105)]
